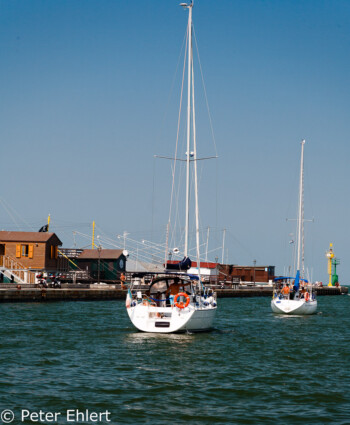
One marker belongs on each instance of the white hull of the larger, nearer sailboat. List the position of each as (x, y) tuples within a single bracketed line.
[(147, 318)]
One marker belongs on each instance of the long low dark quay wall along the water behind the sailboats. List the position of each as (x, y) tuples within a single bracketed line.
[(32, 294)]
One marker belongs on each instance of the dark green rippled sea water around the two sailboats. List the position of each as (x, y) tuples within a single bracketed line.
[(254, 368)]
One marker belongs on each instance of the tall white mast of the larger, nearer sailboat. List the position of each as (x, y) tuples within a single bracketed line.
[(188, 153)]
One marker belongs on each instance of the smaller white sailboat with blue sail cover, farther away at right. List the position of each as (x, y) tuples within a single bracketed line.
[(298, 298)]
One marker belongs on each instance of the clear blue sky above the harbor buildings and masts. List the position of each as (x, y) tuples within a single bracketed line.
[(89, 93)]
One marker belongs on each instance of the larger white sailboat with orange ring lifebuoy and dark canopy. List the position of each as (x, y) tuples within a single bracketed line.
[(177, 301)]
